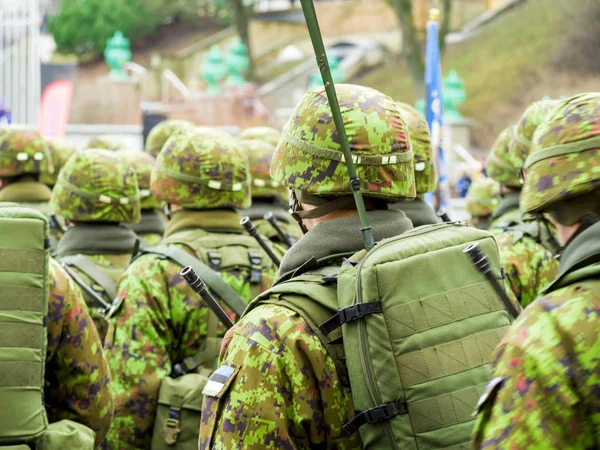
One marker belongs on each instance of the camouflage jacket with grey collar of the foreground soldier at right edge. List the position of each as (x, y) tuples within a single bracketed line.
[(545, 393)]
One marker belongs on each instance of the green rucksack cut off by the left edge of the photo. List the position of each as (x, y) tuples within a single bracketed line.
[(24, 282)]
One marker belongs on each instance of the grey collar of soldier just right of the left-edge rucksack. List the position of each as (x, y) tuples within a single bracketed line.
[(96, 239)]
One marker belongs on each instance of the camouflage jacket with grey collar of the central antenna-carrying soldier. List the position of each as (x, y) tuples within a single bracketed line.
[(284, 390)]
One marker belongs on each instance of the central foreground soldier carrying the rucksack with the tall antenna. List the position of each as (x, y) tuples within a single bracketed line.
[(283, 376)]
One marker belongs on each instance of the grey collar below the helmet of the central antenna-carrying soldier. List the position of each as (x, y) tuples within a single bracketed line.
[(341, 236)]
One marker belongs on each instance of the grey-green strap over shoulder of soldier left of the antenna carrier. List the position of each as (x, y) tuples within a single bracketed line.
[(212, 279)]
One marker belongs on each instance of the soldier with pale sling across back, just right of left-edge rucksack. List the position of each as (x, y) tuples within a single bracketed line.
[(96, 192)]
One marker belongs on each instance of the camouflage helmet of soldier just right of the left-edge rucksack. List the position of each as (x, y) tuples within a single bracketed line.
[(97, 186)]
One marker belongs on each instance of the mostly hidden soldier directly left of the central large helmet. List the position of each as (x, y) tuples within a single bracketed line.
[(267, 194)]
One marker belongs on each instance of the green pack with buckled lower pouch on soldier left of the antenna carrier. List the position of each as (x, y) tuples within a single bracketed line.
[(177, 421)]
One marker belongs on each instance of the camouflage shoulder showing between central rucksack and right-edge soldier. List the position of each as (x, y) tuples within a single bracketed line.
[(529, 266)]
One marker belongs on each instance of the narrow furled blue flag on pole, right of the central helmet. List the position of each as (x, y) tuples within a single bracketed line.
[(434, 112)]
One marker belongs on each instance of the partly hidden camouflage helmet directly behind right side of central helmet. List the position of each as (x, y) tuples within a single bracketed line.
[(420, 139)]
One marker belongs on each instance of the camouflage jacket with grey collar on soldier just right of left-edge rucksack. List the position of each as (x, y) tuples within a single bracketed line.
[(109, 250)]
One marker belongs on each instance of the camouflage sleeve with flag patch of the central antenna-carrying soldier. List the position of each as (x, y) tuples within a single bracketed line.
[(276, 388)]
